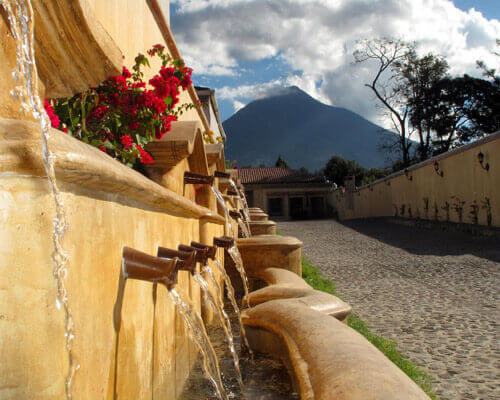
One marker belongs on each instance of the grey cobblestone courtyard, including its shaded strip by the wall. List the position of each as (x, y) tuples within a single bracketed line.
[(435, 293)]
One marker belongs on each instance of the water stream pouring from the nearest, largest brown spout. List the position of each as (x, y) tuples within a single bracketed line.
[(196, 329)]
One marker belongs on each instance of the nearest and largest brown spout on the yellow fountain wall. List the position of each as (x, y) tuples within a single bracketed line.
[(144, 267)]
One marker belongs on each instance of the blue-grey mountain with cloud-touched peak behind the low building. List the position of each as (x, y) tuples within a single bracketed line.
[(306, 132)]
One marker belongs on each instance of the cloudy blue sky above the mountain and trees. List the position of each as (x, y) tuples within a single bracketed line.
[(245, 49)]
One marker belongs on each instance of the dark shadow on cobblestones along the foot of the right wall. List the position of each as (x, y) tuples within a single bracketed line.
[(424, 241)]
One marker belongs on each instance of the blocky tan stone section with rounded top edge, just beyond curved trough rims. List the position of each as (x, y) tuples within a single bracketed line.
[(264, 251)]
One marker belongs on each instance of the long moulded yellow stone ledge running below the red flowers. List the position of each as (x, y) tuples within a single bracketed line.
[(88, 168)]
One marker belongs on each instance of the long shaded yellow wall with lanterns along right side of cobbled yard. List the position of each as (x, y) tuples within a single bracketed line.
[(464, 180)]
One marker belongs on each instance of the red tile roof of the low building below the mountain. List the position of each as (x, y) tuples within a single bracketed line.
[(277, 175)]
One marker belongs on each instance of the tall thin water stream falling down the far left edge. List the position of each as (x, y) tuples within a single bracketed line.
[(22, 26)]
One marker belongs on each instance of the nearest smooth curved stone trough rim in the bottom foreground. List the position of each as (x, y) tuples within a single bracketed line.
[(326, 359)]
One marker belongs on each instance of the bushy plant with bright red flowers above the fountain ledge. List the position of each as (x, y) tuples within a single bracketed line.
[(123, 114)]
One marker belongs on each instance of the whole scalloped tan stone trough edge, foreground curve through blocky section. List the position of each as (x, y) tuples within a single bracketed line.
[(291, 321)]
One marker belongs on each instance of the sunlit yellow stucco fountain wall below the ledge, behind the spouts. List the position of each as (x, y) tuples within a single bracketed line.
[(150, 352)]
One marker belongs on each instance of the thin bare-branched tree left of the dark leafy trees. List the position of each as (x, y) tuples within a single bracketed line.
[(388, 54)]
